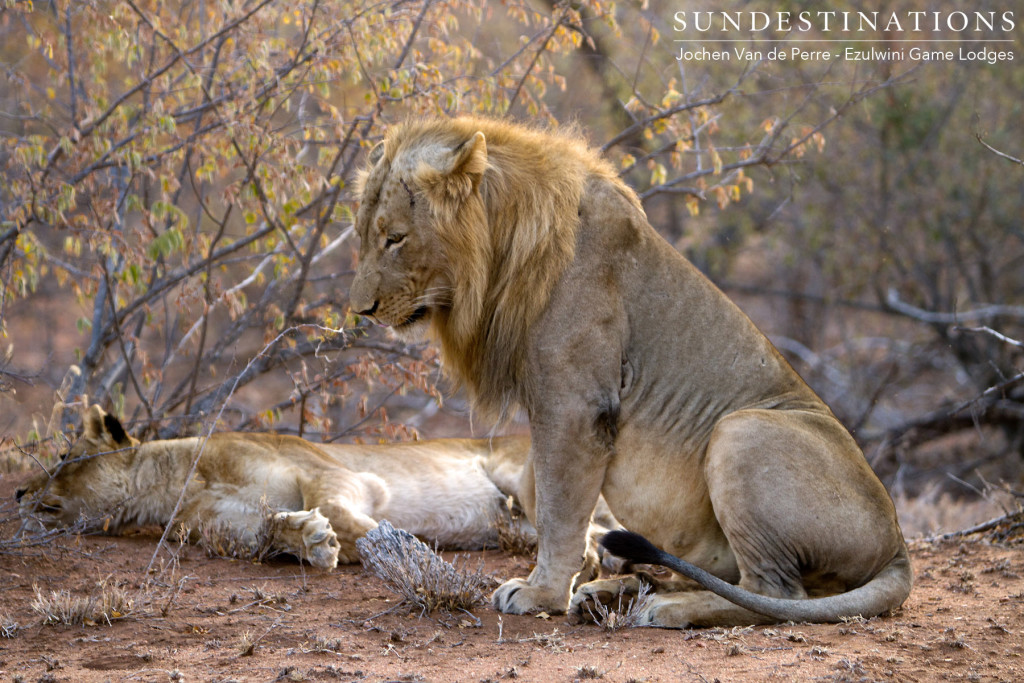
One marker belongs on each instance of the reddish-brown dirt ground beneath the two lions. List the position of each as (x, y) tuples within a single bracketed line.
[(200, 619)]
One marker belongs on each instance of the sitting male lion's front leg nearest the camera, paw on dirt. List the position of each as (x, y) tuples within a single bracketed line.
[(569, 477)]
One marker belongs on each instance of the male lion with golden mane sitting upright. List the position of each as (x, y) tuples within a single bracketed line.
[(535, 269)]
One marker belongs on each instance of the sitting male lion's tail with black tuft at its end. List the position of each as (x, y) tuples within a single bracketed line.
[(887, 590)]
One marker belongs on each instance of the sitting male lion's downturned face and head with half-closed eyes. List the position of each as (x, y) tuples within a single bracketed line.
[(416, 223)]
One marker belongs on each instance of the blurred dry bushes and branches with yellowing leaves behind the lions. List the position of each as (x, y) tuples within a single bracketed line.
[(177, 206)]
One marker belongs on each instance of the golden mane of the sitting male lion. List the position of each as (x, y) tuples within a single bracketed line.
[(506, 246)]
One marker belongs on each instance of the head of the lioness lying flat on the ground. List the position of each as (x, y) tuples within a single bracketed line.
[(90, 482)]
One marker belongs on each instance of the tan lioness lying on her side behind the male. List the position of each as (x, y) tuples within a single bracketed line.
[(322, 497)]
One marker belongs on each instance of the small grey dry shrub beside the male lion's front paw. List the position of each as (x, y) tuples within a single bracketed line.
[(408, 567)]
